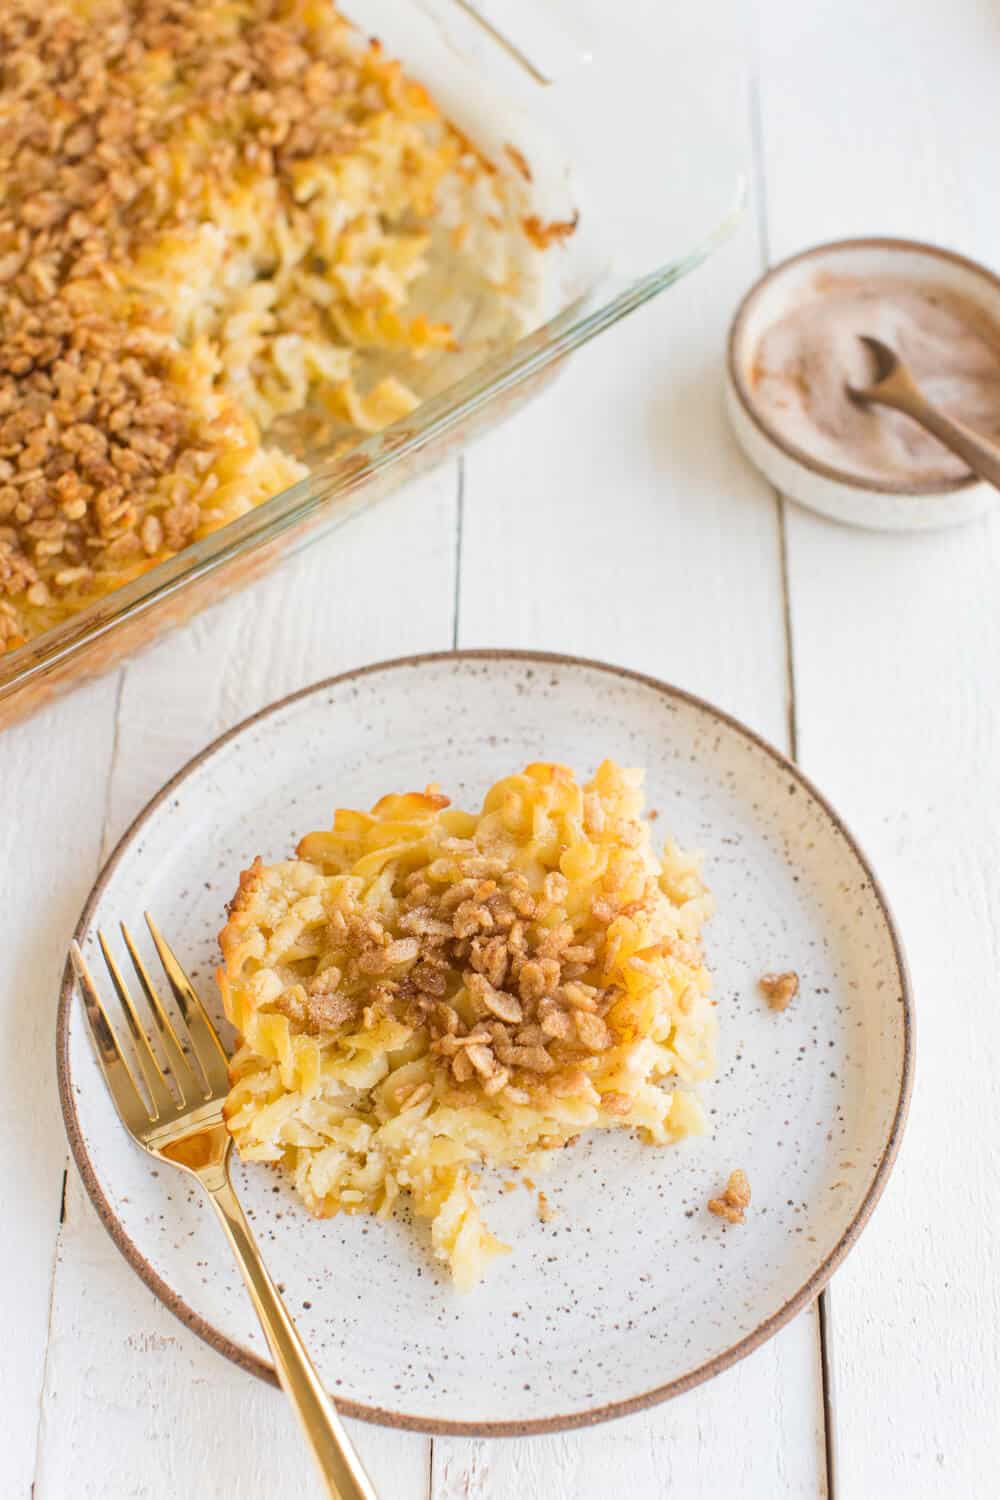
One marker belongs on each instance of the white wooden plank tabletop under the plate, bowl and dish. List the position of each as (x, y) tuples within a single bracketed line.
[(872, 658)]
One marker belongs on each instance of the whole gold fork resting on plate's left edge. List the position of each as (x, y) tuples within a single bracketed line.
[(184, 1124)]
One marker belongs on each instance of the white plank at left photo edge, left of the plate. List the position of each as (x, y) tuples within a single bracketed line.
[(53, 779)]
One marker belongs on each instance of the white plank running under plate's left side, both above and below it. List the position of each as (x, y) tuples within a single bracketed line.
[(175, 1418)]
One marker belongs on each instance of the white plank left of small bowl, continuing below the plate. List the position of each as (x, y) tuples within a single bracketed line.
[(620, 521)]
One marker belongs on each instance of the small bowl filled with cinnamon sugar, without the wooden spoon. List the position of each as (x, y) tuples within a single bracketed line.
[(794, 344)]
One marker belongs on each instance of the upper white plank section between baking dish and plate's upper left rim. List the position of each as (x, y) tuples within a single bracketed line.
[(382, 587)]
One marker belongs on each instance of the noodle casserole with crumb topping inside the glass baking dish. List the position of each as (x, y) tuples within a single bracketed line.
[(206, 209)]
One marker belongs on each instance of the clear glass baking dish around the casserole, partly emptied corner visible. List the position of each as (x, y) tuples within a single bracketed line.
[(602, 116)]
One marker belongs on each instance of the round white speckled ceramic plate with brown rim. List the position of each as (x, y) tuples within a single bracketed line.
[(633, 1292)]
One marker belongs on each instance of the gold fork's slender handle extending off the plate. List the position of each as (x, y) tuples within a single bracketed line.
[(340, 1465)]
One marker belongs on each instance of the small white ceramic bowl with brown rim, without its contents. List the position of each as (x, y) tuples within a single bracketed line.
[(879, 506)]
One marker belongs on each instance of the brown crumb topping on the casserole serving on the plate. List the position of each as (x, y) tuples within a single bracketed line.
[(534, 1009)]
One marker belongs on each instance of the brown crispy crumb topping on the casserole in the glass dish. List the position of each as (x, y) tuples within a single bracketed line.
[(116, 125)]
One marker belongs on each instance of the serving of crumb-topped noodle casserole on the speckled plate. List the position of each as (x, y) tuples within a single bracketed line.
[(425, 989)]
